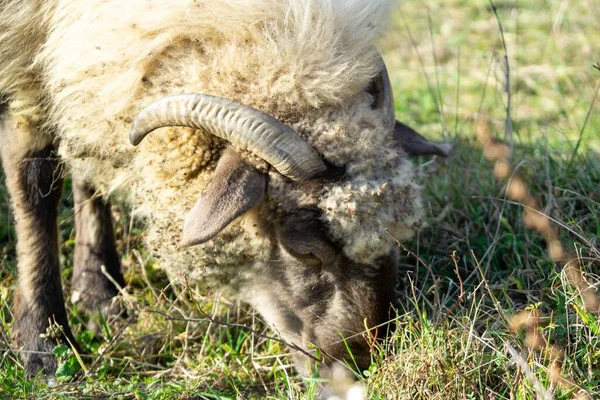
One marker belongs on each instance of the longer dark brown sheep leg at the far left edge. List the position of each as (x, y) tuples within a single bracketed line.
[(34, 181)]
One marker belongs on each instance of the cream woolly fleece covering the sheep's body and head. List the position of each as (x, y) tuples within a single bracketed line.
[(306, 62)]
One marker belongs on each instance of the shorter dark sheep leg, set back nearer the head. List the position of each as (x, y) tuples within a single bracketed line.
[(95, 250)]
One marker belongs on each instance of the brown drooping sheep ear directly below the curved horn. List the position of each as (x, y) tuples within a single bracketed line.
[(235, 188)]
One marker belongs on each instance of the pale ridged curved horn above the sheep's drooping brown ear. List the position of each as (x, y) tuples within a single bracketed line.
[(243, 126)]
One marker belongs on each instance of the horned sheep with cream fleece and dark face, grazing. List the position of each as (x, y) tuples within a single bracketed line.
[(276, 165)]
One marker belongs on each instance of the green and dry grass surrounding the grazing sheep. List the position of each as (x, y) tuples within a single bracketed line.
[(470, 273)]
